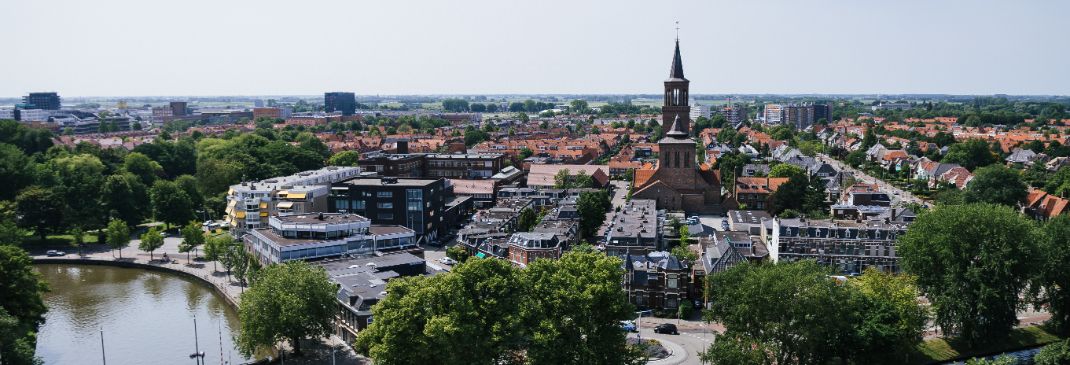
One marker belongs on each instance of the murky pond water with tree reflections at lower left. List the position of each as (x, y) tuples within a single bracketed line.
[(147, 317)]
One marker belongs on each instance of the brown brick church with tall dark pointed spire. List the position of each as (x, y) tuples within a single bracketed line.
[(678, 182)]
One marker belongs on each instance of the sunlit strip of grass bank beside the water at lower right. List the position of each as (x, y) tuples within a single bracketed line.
[(941, 351)]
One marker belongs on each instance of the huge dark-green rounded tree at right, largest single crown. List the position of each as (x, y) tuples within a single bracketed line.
[(973, 263)]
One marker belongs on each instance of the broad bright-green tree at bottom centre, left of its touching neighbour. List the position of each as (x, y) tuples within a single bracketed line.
[(468, 316)]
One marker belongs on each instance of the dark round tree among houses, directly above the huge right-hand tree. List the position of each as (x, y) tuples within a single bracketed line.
[(996, 185)]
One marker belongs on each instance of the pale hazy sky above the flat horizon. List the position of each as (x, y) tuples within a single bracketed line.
[(231, 48)]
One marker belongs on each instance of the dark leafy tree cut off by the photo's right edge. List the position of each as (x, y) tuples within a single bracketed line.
[(1054, 272)]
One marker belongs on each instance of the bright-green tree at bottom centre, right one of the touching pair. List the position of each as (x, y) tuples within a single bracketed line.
[(574, 308)]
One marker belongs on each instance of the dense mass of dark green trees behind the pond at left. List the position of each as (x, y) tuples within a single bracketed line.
[(59, 190)]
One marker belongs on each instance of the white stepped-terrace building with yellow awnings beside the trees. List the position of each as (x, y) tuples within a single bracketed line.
[(250, 205)]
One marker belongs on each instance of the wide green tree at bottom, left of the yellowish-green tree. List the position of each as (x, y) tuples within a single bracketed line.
[(812, 328)]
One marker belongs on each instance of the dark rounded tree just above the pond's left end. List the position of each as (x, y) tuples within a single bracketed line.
[(40, 209)]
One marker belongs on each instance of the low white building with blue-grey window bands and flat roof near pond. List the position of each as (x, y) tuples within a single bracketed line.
[(318, 236)]
